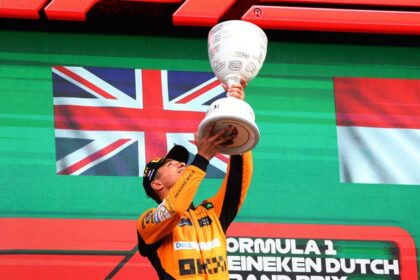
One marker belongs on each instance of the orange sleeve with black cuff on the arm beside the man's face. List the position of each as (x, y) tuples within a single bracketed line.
[(157, 222)]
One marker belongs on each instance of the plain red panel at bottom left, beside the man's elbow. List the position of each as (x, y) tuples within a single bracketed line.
[(71, 249)]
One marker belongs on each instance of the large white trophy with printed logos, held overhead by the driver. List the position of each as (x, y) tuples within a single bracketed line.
[(236, 50)]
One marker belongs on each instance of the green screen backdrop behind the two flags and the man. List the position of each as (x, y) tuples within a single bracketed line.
[(296, 177)]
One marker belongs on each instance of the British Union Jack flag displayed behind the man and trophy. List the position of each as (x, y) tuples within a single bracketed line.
[(111, 121)]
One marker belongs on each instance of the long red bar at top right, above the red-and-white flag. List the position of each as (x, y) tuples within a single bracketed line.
[(337, 20)]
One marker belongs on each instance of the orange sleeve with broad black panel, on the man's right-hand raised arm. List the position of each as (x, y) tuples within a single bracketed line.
[(232, 193)]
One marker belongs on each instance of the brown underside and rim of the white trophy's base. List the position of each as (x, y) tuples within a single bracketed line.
[(246, 139)]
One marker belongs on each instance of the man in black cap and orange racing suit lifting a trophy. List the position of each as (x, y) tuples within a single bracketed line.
[(180, 240)]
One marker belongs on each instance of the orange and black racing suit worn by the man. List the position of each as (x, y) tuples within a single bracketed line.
[(186, 242)]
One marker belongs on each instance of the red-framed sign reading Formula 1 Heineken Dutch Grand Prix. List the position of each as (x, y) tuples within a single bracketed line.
[(320, 252)]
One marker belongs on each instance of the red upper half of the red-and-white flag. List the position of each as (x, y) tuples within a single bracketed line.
[(372, 102)]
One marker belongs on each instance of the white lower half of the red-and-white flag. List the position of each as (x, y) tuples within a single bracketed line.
[(379, 155)]
